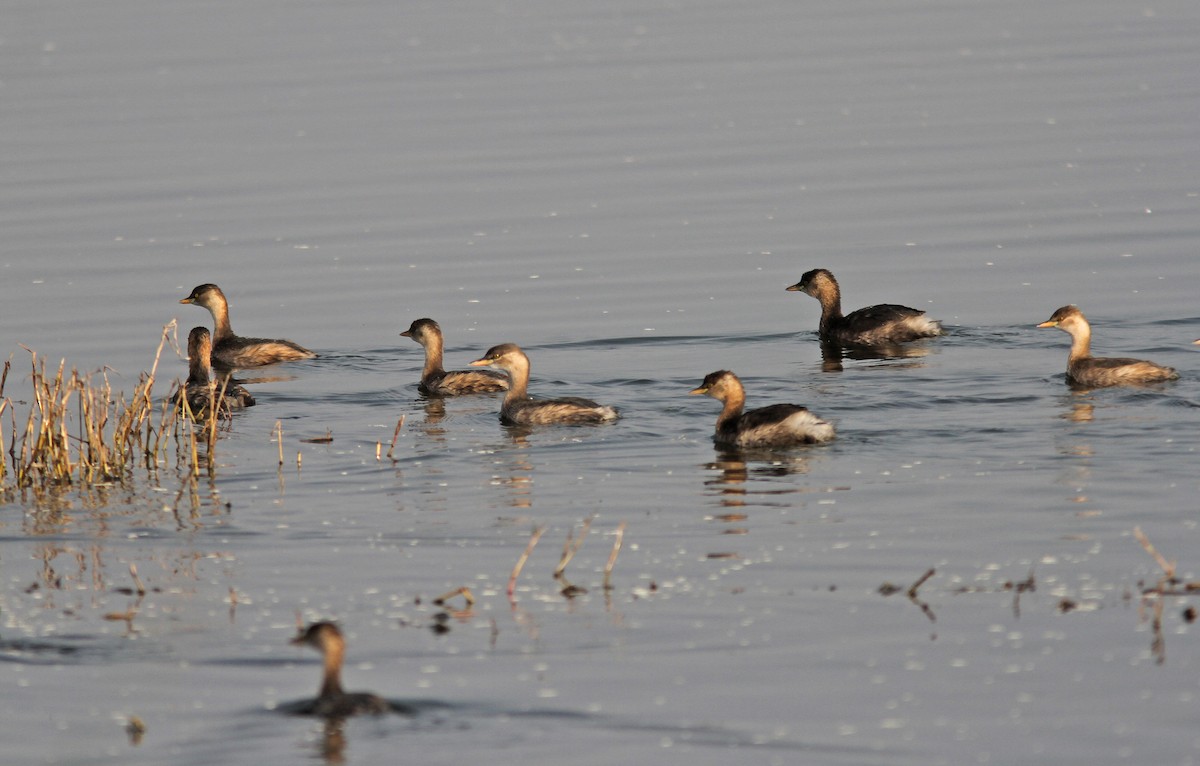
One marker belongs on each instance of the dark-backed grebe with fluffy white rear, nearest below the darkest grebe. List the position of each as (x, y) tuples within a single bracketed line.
[(776, 426)]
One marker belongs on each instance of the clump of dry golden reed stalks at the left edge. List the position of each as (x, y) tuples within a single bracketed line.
[(80, 434)]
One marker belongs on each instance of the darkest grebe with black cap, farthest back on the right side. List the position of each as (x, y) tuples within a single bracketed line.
[(873, 326)]
